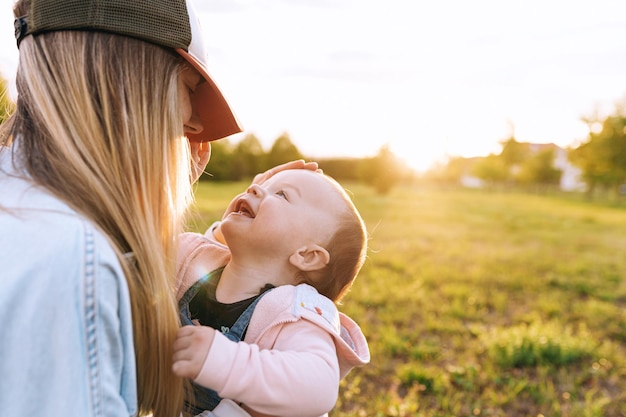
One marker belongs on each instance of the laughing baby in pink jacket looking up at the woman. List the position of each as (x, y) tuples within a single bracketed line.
[(268, 278)]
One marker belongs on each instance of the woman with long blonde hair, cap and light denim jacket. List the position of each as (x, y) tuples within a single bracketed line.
[(95, 171)]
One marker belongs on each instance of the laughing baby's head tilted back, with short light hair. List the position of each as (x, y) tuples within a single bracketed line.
[(308, 218)]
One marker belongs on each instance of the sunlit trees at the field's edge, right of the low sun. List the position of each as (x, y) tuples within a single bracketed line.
[(600, 157)]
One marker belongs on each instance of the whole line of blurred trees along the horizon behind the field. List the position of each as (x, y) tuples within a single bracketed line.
[(601, 159)]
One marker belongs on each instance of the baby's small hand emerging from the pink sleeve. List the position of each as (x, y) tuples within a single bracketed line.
[(191, 349)]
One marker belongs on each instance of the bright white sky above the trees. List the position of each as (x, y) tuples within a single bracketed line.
[(429, 79)]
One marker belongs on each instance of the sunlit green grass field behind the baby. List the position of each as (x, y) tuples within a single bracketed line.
[(483, 304)]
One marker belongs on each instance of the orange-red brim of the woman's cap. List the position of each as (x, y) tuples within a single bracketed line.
[(218, 120)]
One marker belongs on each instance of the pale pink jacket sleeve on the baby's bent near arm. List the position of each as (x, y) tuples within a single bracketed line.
[(299, 377)]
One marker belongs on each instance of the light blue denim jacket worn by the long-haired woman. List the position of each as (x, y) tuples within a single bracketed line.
[(66, 346)]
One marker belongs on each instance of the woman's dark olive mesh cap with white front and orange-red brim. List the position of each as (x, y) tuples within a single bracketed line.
[(168, 23)]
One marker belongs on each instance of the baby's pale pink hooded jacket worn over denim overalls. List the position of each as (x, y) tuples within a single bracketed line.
[(297, 346)]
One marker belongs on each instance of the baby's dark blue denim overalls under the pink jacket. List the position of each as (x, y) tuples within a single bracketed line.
[(205, 398)]
